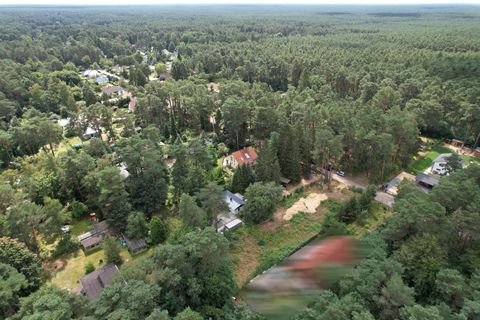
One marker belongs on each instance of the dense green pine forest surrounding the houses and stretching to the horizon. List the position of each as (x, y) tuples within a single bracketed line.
[(176, 90)]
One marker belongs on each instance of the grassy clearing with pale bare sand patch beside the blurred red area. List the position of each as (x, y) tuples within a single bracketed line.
[(256, 248)]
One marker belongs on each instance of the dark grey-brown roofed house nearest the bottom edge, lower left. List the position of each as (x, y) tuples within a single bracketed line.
[(94, 282)]
